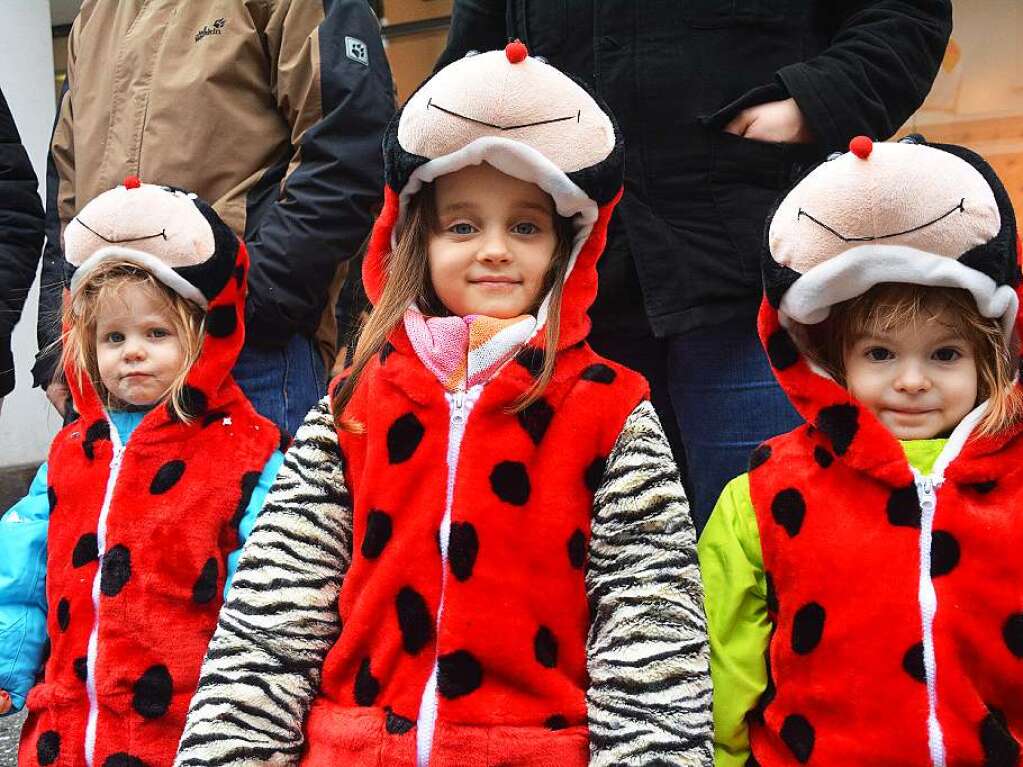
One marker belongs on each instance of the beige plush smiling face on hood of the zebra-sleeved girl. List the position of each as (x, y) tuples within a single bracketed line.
[(540, 107)]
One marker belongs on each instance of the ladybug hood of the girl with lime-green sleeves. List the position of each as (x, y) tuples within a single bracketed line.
[(904, 212)]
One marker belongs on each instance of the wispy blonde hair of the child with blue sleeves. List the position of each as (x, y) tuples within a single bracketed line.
[(81, 315)]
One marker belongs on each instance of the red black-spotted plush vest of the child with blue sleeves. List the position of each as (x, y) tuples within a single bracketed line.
[(138, 552)]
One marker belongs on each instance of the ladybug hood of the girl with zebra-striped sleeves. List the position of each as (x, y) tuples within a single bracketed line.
[(528, 120)]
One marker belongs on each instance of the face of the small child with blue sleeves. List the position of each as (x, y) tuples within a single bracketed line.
[(139, 351)]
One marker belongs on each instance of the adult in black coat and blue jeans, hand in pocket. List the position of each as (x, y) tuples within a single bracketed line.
[(723, 104)]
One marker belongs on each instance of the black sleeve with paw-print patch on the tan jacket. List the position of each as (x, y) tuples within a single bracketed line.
[(328, 203)]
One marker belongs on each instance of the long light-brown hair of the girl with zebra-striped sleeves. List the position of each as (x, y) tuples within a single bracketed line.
[(409, 283)]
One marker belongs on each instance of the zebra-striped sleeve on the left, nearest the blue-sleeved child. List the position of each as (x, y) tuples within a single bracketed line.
[(262, 669)]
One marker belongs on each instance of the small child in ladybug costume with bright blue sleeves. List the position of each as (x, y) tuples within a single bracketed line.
[(128, 538)]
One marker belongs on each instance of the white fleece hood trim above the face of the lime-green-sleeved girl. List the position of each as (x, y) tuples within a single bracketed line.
[(853, 274)]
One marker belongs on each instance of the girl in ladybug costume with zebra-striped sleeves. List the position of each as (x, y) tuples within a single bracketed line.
[(478, 552)]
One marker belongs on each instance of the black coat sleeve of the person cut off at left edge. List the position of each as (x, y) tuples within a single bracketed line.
[(21, 237)]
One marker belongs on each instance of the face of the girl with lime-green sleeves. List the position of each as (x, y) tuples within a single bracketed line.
[(919, 380)]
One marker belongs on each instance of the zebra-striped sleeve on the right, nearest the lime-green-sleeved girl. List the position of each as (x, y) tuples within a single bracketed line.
[(650, 696)]
